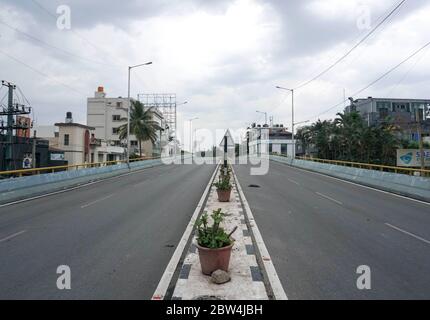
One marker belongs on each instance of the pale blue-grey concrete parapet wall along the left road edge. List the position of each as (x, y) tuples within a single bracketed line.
[(15, 189)]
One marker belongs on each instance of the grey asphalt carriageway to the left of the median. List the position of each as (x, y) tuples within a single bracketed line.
[(117, 236)]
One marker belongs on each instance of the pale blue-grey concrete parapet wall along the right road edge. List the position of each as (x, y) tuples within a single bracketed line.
[(401, 184)]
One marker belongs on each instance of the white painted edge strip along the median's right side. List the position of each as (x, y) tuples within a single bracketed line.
[(275, 282)]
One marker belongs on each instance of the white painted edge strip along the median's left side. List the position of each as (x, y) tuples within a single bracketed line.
[(167, 276)]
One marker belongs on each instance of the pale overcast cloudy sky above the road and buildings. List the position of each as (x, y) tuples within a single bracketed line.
[(225, 57)]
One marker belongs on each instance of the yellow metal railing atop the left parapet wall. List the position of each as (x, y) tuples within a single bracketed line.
[(37, 171)]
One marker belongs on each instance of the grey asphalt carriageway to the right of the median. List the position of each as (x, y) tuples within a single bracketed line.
[(318, 230)]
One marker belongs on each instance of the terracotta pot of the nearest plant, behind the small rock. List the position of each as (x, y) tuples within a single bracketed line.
[(214, 259)]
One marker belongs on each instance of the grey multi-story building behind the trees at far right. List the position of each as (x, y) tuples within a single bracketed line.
[(404, 113)]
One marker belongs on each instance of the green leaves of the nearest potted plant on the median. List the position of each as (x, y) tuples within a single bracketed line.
[(212, 237)]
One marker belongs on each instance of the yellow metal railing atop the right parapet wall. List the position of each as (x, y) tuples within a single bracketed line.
[(369, 166)]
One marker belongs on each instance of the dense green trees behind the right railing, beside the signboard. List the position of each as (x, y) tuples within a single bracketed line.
[(349, 138)]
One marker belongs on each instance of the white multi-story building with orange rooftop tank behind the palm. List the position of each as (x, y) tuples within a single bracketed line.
[(106, 115)]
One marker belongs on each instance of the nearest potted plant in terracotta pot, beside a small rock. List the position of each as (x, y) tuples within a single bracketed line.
[(213, 243)]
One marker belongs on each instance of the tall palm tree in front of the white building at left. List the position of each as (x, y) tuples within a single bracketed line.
[(142, 124)]
